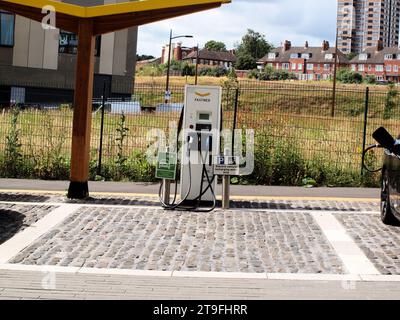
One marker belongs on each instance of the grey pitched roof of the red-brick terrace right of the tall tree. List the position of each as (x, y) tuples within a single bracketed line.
[(317, 55)]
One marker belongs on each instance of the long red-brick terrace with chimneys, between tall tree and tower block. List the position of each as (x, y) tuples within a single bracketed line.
[(308, 63)]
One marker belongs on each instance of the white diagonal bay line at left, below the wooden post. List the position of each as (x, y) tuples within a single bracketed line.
[(23, 239)]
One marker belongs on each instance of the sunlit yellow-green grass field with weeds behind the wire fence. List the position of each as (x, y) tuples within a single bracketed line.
[(296, 137)]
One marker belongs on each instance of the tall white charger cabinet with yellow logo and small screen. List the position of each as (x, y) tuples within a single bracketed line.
[(201, 141)]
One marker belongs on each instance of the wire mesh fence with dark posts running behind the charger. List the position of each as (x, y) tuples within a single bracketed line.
[(296, 135)]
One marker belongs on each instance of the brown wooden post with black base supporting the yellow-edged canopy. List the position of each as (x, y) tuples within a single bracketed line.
[(82, 122)]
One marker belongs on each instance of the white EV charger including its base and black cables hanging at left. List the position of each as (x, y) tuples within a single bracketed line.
[(201, 126)]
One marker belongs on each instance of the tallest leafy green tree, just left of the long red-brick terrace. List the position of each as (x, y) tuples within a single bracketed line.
[(254, 44)]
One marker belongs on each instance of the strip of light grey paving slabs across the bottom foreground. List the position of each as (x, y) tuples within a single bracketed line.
[(87, 286)]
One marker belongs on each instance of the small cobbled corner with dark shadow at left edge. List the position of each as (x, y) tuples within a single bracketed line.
[(16, 218)]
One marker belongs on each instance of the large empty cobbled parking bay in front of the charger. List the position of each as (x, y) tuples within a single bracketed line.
[(152, 239)]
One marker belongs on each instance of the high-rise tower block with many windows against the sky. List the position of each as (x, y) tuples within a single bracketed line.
[(367, 22)]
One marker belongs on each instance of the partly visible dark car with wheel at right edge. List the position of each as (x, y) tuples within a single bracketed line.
[(390, 186)]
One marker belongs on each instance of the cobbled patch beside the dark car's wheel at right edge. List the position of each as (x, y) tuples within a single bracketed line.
[(380, 243)]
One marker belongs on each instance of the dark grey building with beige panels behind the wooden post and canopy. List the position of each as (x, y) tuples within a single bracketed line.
[(38, 66)]
